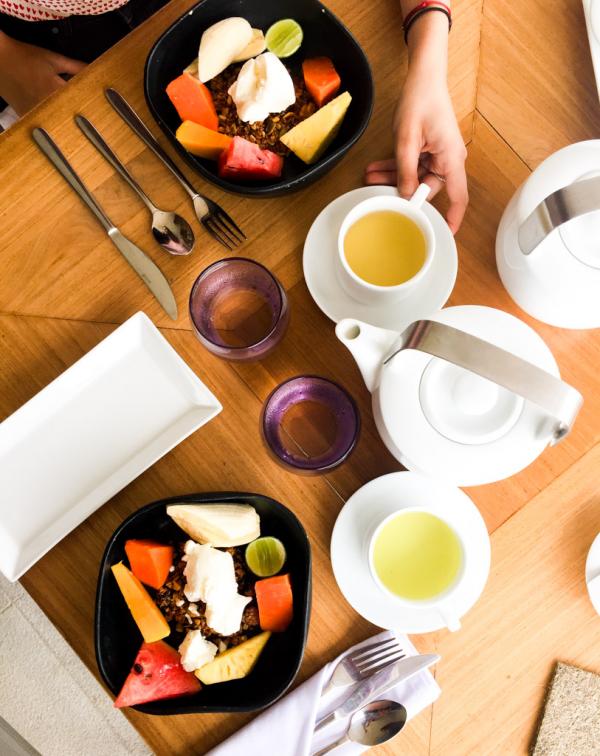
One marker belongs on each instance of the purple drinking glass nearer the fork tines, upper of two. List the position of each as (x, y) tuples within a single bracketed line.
[(238, 309)]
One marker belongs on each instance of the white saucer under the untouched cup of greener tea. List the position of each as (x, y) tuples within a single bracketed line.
[(368, 506)]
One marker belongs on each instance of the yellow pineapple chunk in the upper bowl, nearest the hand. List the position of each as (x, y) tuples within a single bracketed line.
[(311, 137)]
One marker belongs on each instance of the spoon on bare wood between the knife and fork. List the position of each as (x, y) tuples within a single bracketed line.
[(170, 230)]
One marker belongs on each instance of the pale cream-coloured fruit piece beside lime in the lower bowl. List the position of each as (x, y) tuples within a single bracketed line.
[(217, 524)]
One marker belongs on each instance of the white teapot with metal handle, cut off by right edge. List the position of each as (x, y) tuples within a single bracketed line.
[(548, 241)]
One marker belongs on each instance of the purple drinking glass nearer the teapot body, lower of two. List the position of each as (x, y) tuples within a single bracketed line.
[(310, 424)]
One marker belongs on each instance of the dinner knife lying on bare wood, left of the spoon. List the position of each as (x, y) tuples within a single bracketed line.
[(147, 270)]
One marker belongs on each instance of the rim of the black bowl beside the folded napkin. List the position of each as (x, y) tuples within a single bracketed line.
[(217, 497)]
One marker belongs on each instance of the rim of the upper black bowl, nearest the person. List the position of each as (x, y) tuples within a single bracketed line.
[(312, 172)]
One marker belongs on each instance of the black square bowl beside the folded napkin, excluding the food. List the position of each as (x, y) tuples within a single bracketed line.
[(117, 638)]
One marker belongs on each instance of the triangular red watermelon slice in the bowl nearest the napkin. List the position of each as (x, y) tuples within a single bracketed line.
[(156, 674)]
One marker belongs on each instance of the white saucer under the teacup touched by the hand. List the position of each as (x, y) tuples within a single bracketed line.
[(319, 260)]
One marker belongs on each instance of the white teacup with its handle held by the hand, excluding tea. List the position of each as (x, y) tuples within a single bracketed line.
[(369, 293)]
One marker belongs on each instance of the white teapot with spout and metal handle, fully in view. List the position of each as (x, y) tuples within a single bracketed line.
[(469, 396)]
